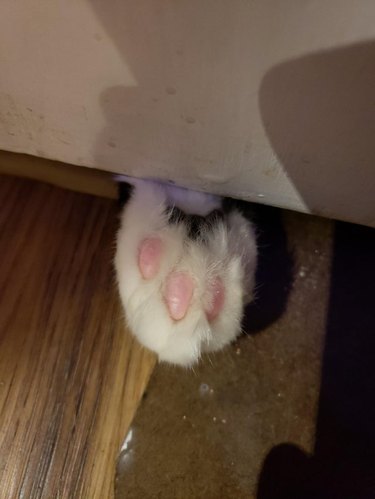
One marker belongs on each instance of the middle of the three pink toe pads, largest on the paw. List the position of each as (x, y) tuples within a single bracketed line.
[(178, 293)]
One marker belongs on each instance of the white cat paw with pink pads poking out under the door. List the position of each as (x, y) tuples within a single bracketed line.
[(182, 275)]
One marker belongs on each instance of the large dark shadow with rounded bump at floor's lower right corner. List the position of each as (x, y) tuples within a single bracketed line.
[(343, 464)]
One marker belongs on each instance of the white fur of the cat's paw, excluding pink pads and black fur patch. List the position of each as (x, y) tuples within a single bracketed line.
[(229, 253)]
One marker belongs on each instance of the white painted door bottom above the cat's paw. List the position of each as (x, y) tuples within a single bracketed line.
[(264, 100)]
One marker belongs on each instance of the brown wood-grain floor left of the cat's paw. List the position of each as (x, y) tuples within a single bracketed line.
[(70, 374)]
